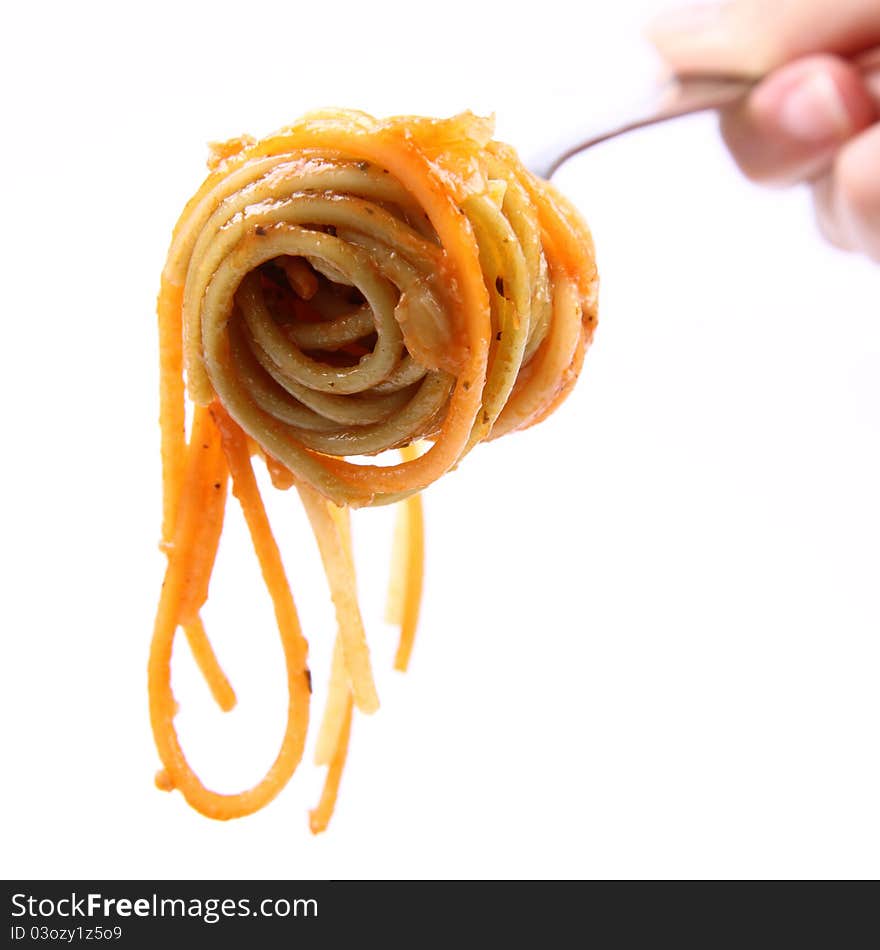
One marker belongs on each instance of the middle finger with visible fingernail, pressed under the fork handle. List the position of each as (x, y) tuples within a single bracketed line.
[(792, 124)]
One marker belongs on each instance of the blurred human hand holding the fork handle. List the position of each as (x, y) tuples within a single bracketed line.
[(815, 116)]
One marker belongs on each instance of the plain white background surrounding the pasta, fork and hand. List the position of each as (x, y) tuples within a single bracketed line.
[(650, 633)]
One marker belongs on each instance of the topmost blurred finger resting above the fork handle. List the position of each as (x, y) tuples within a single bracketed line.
[(753, 36)]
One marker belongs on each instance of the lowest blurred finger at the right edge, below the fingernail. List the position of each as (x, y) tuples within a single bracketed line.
[(848, 202)]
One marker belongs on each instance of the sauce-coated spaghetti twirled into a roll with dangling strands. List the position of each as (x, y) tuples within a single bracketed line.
[(340, 288)]
